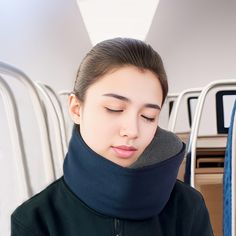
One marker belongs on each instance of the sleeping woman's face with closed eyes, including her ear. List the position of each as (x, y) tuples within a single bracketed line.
[(119, 116)]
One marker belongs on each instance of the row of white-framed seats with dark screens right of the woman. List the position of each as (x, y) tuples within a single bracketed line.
[(201, 118)]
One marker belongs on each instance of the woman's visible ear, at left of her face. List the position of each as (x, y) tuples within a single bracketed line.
[(75, 108)]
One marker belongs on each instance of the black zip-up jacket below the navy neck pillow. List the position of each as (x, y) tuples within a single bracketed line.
[(57, 211)]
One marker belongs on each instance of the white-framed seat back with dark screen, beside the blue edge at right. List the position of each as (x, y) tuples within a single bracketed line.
[(206, 148)]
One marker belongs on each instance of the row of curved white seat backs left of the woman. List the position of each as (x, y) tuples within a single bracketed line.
[(34, 138)]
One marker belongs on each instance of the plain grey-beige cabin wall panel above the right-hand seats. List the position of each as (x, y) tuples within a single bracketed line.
[(196, 40)]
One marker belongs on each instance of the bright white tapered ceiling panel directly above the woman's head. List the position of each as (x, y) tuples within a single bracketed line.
[(106, 19)]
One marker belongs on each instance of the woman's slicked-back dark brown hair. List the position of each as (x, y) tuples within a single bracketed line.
[(115, 53)]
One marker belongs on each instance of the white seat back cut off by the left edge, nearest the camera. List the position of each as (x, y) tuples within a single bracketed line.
[(11, 157)]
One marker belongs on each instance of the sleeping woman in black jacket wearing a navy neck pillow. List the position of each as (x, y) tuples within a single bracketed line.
[(120, 170)]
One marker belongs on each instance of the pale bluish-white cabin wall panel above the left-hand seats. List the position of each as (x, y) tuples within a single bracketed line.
[(45, 39)]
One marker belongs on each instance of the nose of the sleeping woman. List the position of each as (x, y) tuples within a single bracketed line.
[(129, 128)]
